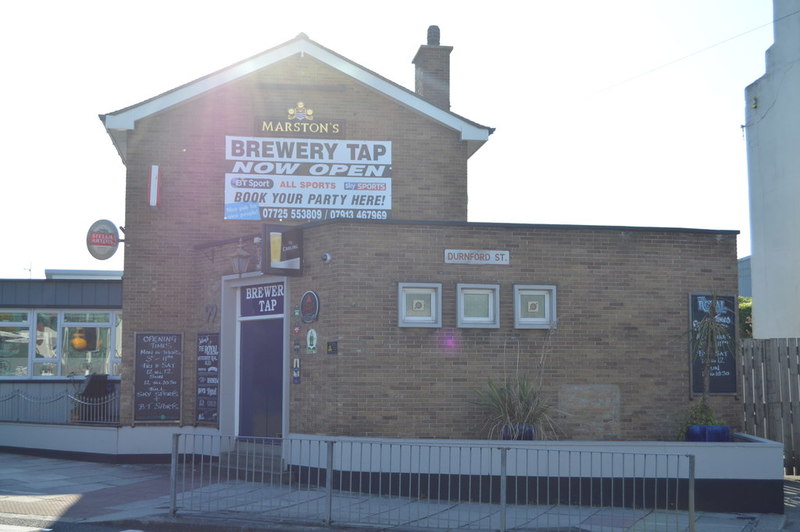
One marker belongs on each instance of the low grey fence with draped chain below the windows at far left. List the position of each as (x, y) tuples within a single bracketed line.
[(59, 408)]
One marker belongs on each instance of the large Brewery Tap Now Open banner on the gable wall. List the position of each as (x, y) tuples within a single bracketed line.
[(307, 179)]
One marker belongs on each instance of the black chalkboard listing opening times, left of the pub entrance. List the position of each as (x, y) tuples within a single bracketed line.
[(158, 376)]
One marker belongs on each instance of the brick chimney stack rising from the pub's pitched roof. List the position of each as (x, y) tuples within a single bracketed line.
[(433, 71)]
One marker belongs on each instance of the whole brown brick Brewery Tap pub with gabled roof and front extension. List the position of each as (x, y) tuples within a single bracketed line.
[(298, 260)]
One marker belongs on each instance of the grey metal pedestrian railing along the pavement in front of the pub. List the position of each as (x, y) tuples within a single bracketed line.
[(476, 486)]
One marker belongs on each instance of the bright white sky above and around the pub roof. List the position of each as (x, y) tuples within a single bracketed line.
[(621, 112)]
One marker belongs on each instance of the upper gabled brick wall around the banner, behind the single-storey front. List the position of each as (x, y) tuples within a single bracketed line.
[(169, 284)]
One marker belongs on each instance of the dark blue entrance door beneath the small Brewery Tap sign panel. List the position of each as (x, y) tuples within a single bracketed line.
[(261, 377)]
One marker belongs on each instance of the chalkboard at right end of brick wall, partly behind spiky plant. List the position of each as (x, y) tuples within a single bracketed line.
[(723, 366)]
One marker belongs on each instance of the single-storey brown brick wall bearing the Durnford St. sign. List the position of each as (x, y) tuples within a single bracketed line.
[(616, 367)]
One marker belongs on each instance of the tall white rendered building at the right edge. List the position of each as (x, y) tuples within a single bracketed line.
[(773, 153)]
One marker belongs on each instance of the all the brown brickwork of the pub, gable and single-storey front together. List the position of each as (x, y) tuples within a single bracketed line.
[(615, 368)]
